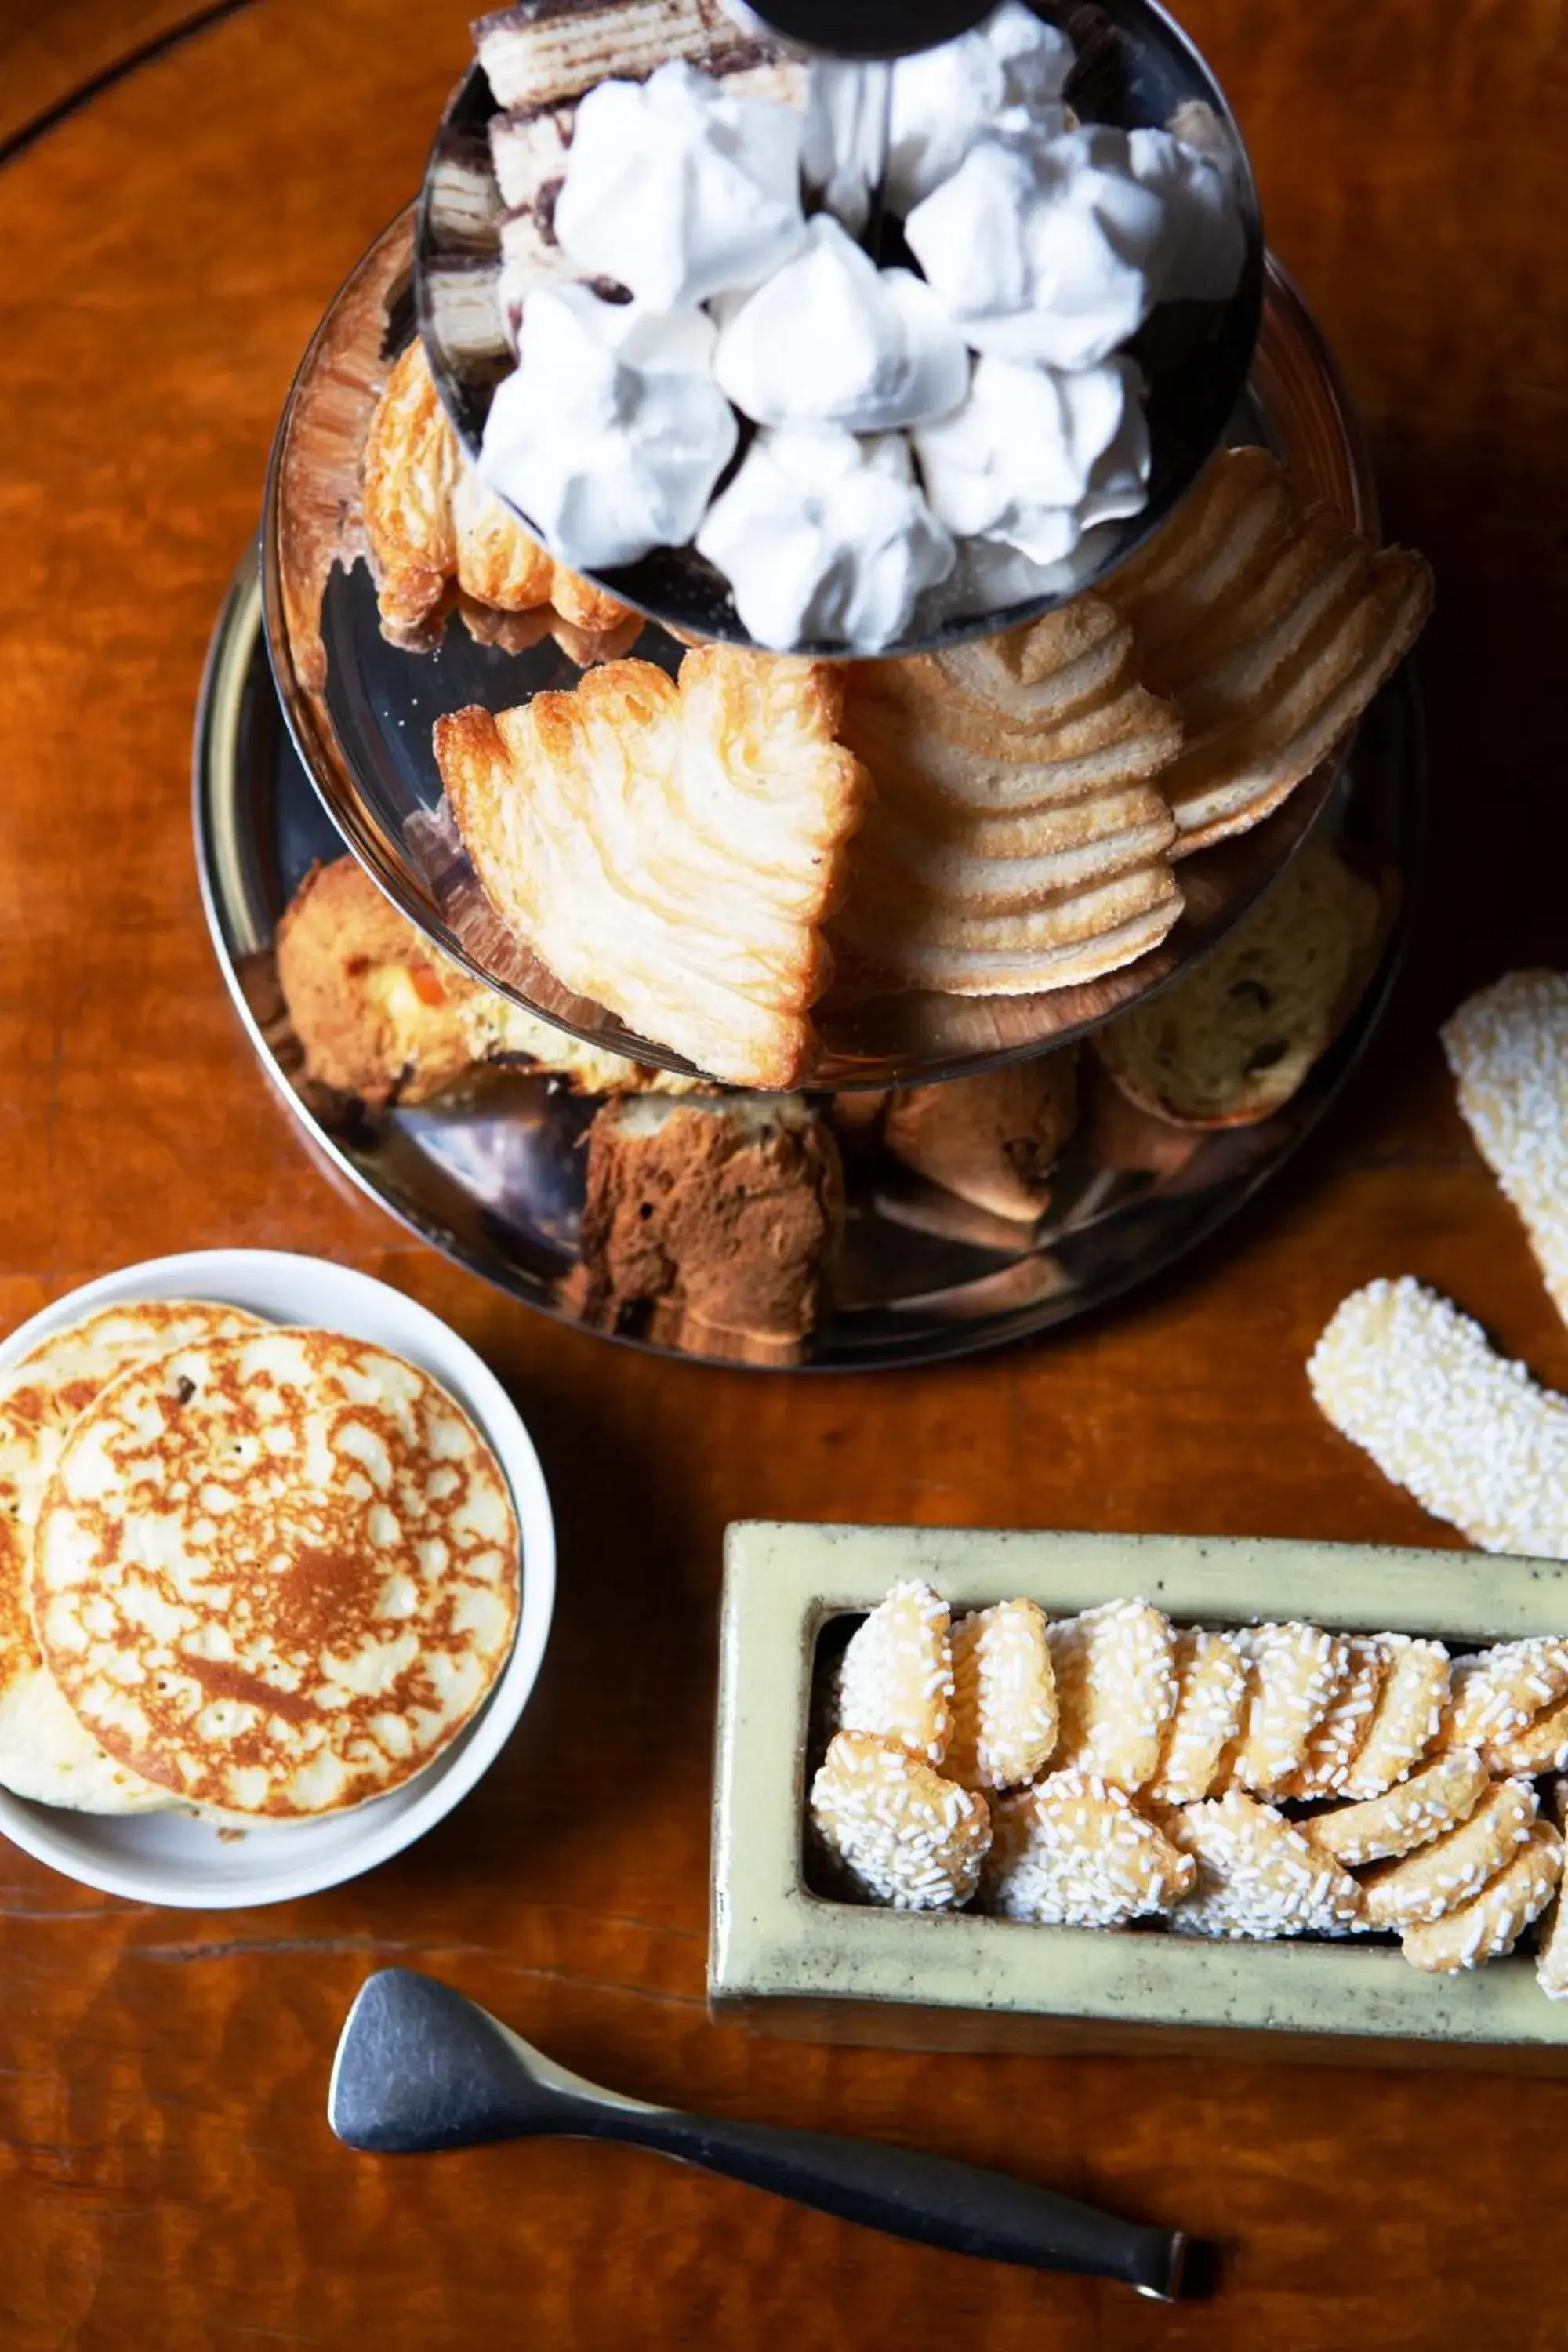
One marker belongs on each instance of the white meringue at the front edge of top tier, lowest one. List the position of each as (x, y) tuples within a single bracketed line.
[(826, 537)]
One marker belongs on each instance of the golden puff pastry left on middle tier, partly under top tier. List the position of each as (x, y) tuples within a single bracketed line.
[(438, 537)]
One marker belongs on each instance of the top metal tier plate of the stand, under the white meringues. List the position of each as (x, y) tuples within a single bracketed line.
[(1137, 69)]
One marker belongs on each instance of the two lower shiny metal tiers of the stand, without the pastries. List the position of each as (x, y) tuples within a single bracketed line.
[(314, 735)]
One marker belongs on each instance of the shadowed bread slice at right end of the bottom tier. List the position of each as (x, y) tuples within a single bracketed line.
[(1233, 1041)]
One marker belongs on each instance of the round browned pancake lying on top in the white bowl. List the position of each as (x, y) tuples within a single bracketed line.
[(276, 1575)]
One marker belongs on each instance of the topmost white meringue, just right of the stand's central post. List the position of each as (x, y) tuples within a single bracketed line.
[(1007, 76)]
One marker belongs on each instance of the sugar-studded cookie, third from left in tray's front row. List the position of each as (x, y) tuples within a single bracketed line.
[(1257, 1873)]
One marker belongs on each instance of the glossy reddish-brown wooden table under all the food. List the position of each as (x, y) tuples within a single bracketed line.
[(163, 2144)]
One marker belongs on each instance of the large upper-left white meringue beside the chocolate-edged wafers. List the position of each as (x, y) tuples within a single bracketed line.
[(681, 189)]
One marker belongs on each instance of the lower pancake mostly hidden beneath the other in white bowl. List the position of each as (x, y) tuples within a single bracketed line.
[(43, 1749)]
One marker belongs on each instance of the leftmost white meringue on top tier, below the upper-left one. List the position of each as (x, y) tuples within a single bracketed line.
[(610, 434)]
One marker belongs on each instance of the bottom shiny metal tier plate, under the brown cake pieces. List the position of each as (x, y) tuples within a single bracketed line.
[(492, 1170)]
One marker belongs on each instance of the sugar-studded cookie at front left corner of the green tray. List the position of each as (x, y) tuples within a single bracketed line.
[(897, 1829)]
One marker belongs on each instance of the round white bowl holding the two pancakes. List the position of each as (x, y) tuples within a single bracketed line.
[(185, 1862)]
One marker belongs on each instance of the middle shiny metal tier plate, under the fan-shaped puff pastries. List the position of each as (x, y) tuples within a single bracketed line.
[(363, 711)]
